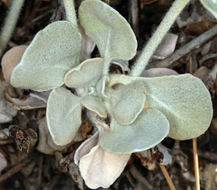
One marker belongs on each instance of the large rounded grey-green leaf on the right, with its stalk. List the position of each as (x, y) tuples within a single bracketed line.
[(183, 99)]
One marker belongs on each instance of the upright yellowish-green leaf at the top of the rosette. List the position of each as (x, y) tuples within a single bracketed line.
[(108, 29)]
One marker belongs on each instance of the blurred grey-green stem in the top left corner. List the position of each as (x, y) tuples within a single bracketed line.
[(10, 23)]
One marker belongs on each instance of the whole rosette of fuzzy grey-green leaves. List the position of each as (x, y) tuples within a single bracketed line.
[(143, 111)]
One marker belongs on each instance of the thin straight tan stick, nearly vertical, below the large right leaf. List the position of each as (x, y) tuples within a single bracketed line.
[(196, 165)]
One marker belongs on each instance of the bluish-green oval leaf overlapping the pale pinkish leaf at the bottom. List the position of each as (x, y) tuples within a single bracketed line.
[(149, 129)]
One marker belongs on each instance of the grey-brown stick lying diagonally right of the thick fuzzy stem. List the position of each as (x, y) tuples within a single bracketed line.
[(184, 50)]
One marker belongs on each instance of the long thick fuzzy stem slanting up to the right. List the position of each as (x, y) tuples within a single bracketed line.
[(157, 37)]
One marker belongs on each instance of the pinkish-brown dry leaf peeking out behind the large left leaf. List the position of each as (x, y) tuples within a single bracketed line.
[(10, 59)]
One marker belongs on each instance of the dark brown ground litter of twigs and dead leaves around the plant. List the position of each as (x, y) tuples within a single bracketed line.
[(26, 166)]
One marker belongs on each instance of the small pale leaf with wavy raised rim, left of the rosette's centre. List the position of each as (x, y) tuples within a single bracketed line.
[(85, 74)]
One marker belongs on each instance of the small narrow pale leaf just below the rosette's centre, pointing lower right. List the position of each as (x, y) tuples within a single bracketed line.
[(94, 104)]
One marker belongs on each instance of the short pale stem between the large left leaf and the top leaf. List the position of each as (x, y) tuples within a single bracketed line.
[(70, 11)]
